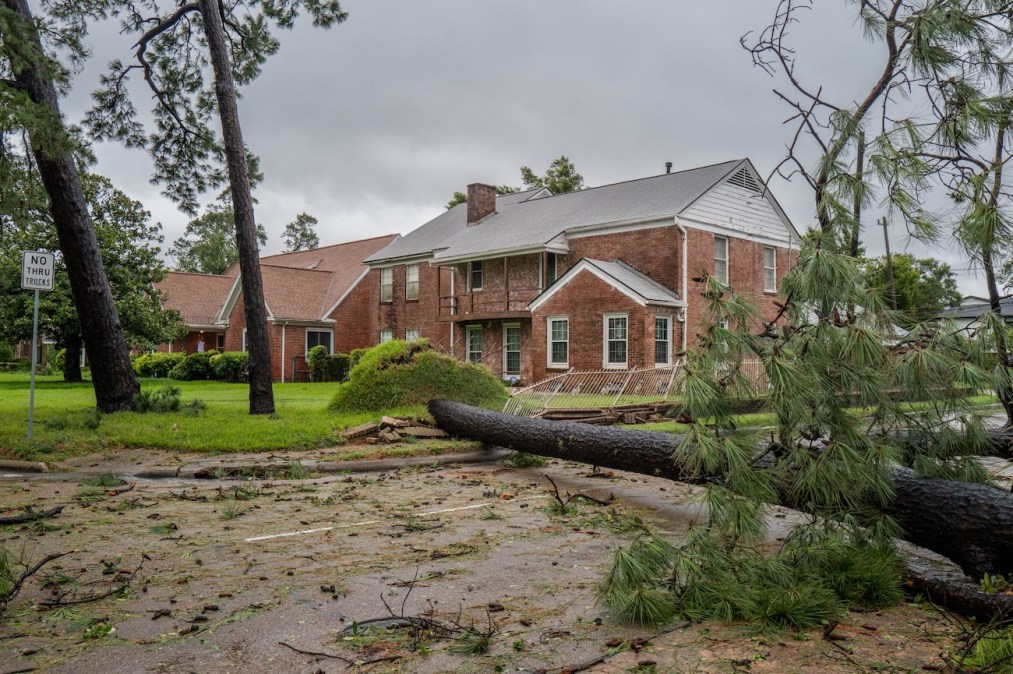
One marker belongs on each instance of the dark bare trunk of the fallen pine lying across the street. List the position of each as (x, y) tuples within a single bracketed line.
[(970, 525)]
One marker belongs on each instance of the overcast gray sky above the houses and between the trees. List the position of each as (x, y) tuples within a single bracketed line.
[(372, 126)]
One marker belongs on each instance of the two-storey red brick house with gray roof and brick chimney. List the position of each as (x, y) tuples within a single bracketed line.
[(532, 284)]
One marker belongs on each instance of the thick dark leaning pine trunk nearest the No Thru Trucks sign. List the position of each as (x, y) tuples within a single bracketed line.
[(113, 376)]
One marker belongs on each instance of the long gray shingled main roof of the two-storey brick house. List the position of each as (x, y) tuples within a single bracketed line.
[(522, 223)]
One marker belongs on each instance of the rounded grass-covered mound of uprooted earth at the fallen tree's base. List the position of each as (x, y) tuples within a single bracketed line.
[(407, 373)]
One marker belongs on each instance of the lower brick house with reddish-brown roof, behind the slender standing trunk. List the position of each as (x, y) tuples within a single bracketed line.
[(314, 297)]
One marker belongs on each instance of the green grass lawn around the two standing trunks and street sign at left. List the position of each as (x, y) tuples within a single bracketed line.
[(65, 420)]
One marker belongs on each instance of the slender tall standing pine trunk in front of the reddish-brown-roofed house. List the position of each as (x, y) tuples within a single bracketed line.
[(262, 393)]
